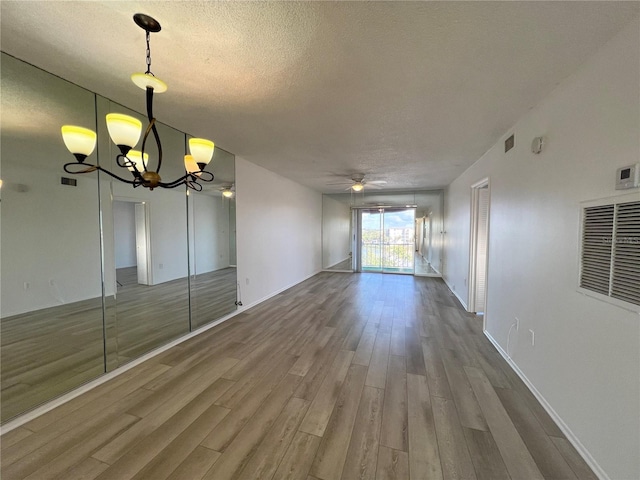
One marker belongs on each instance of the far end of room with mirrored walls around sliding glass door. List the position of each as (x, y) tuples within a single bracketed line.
[(343, 223)]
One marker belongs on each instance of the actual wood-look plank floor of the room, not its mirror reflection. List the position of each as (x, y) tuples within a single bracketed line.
[(352, 376)]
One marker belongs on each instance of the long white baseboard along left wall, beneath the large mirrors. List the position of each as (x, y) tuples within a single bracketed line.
[(56, 402)]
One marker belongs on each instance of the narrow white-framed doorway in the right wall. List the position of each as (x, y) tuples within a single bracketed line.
[(479, 246)]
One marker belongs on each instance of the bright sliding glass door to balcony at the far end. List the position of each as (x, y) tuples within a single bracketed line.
[(386, 240)]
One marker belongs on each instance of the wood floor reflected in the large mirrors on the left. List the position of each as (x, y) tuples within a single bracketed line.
[(51, 351)]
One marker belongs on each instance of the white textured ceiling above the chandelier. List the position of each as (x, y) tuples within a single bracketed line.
[(408, 92)]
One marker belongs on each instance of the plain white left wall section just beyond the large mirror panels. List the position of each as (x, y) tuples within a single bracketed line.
[(279, 232)]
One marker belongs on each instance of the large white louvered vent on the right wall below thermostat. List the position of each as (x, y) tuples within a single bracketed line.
[(610, 257)]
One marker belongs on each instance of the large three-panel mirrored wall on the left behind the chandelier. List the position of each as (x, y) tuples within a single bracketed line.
[(98, 273)]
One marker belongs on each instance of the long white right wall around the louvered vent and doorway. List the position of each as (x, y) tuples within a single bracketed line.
[(586, 359)]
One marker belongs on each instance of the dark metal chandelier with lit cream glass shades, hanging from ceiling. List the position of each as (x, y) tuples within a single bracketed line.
[(125, 132)]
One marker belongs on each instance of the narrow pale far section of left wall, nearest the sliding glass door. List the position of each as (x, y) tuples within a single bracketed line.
[(336, 224)]
